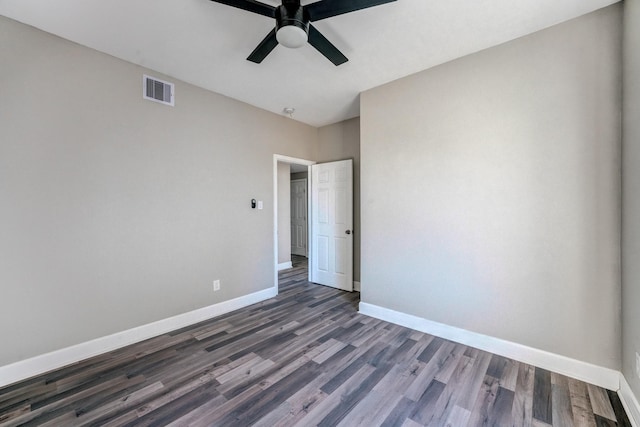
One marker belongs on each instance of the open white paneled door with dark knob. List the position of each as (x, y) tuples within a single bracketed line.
[(332, 224)]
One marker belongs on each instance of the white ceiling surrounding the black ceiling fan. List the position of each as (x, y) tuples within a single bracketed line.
[(206, 43)]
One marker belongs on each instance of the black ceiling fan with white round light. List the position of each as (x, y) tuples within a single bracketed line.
[(293, 24)]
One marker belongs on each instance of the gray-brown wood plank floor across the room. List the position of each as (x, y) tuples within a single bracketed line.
[(305, 358)]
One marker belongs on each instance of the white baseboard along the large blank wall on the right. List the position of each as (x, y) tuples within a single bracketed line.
[(600, 376)]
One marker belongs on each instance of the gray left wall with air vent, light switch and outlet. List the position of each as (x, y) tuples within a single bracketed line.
[(116, 211)]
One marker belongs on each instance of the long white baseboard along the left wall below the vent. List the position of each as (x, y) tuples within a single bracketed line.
[(37, 365)]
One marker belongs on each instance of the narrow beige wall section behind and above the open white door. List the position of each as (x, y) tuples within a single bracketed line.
[(341, 141)]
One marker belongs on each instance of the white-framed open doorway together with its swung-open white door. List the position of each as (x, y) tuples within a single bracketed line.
[(328, 219)]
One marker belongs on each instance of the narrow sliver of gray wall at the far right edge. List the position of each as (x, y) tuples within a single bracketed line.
[(631, 195)]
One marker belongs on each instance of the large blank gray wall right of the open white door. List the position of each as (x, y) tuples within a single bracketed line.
[(491, 191)]
